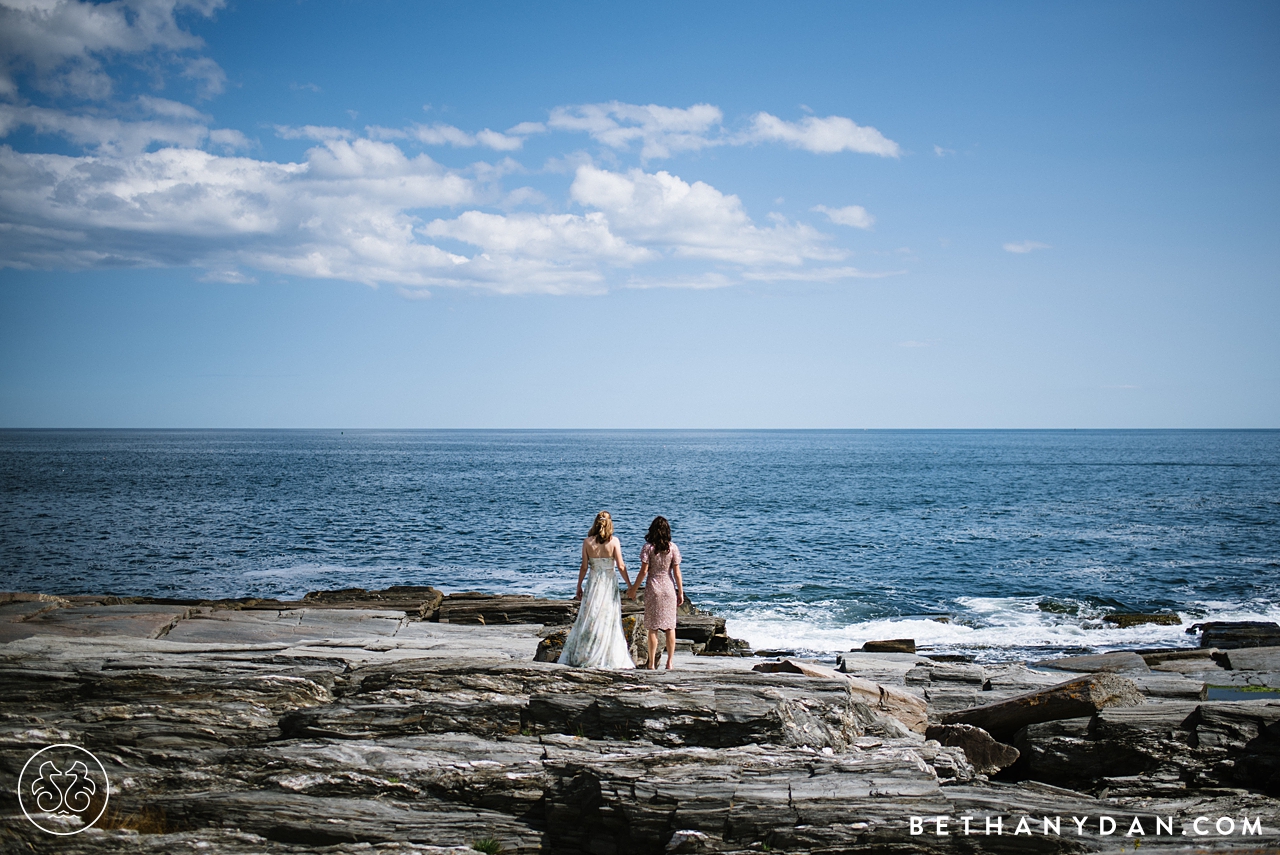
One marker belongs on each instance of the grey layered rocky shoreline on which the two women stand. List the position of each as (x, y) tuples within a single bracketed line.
[(409, 721)]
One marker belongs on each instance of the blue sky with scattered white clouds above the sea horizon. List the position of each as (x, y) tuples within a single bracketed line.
[(646, 216)]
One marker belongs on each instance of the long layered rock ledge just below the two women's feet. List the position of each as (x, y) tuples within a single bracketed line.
[(712, 710)]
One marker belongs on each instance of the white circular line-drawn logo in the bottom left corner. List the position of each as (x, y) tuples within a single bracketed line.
[(63, 789)]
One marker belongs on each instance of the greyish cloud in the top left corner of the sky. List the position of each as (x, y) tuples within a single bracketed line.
[(61, 45)]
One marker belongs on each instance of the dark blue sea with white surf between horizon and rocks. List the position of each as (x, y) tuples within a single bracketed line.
[(998, 545)]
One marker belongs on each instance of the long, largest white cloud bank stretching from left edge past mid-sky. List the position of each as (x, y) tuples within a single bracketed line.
[(348, 212)]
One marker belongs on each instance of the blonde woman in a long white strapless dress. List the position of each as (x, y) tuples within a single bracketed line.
[(597, 641)]
